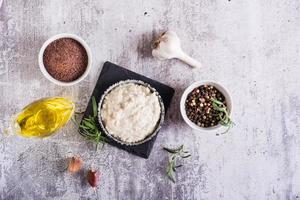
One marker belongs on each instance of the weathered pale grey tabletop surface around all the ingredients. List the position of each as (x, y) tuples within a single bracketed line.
[(251, 47)]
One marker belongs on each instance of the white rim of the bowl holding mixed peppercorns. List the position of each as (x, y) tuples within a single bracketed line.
[(190, 89)]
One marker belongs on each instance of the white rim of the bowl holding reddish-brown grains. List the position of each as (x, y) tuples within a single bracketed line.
[(59, 36)]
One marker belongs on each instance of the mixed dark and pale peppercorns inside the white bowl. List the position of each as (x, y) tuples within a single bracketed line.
[(199, 108)]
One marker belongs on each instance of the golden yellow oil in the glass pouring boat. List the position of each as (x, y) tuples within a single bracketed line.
[(44, 117)]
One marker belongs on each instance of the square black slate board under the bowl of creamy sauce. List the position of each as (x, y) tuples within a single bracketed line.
[(111, 74)]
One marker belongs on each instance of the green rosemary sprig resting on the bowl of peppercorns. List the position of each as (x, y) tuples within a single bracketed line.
[(223, 114)]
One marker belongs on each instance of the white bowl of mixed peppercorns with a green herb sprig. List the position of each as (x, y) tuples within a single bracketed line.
[(206, 106)]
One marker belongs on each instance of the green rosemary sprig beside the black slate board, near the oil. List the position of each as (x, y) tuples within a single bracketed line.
[(88, 127)]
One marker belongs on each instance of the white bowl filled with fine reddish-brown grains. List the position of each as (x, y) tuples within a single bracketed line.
[(65, 59)]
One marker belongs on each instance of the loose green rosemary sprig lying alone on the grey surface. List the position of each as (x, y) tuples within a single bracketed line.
[(178, 152)]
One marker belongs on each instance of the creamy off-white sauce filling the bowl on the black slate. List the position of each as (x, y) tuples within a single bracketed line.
[(130, 112)]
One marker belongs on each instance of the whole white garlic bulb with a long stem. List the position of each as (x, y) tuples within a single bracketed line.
[(168, 46)]
